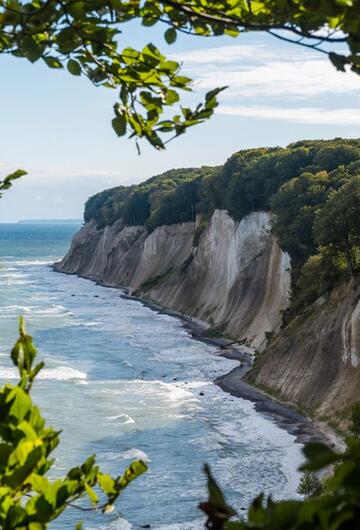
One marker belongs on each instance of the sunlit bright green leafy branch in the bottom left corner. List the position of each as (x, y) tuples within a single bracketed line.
[(28, 499)]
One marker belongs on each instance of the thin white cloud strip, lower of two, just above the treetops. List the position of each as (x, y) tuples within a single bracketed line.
[(306, 115)]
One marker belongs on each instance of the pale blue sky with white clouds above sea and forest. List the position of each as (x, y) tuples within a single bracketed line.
[(58, 127)]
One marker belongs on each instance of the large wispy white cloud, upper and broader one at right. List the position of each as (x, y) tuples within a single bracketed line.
[(268, 71)]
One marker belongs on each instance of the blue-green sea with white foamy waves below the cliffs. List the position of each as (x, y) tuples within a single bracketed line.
[(124, 381)]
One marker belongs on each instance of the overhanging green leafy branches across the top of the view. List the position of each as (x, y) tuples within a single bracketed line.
[(85, 37)]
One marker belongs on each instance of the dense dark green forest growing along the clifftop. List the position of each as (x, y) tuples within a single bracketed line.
[(312, 188)]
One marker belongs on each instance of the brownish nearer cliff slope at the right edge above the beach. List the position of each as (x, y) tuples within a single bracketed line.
[(314, 362)]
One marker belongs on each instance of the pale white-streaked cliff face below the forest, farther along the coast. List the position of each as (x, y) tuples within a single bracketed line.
[(237, 277)]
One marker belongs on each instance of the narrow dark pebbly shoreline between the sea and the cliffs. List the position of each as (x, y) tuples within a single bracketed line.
[(301, 427)]
